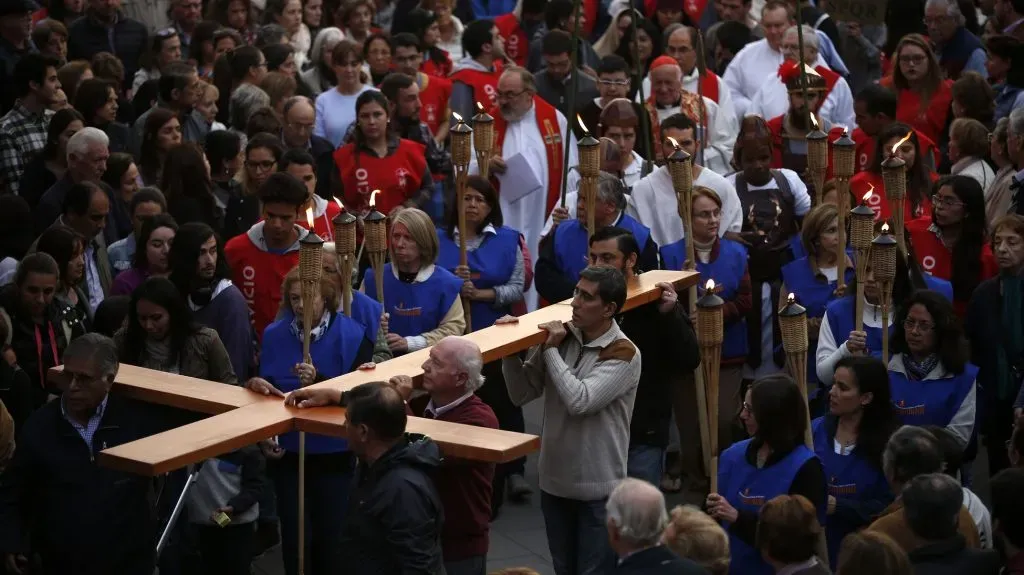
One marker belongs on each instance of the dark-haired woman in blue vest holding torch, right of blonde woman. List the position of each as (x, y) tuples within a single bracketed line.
[(493, 282)]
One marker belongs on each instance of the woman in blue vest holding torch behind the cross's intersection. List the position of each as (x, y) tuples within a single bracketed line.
[(338, 345)]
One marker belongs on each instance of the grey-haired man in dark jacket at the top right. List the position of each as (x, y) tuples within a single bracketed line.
[(958, 49)]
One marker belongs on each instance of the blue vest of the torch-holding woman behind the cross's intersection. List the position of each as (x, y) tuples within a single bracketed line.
[(334, 355)]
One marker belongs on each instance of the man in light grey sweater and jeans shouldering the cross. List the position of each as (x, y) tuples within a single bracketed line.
[(588, 373)]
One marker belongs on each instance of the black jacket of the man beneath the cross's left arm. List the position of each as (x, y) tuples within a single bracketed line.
[(84, 519)]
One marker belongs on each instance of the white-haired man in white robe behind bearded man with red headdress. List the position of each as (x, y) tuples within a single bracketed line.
[(773, 100)]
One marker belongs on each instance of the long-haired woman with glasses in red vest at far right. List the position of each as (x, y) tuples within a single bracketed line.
[(954, 245)]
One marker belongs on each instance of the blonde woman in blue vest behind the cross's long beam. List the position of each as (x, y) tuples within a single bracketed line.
[(420, 298)]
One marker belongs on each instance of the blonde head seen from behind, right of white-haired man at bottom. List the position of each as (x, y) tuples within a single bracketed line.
[(695, 536)]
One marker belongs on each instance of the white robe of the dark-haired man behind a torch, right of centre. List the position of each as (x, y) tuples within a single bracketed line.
[(654, 204)]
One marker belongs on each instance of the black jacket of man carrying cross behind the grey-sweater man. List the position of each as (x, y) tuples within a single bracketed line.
[(670, 347)]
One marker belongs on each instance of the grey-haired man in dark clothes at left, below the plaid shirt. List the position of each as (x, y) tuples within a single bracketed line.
[(88, 154)]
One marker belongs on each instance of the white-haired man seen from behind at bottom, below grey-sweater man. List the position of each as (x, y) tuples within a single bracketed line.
[(636, 520)]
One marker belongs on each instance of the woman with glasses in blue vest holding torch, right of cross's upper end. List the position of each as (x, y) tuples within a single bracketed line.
[(726, 262)]
